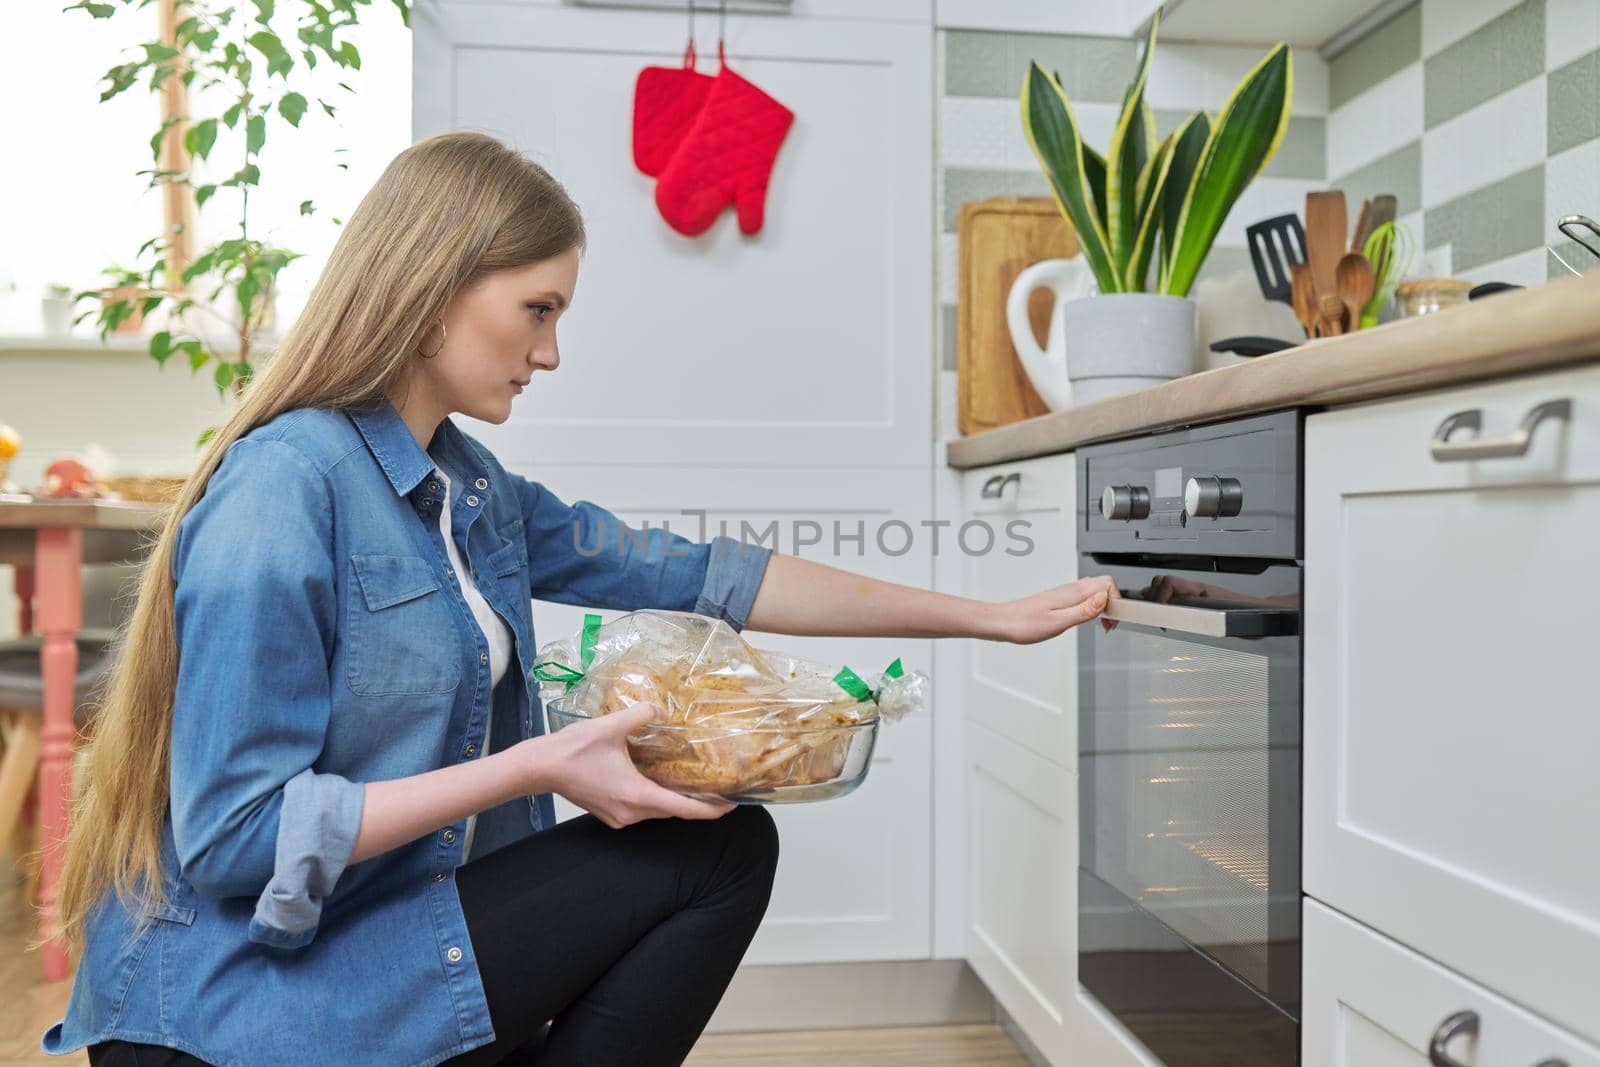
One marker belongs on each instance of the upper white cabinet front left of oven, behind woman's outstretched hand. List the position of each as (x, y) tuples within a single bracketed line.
[(1023, 514)]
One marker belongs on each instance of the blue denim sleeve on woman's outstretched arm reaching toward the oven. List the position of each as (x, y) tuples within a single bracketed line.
[(582, 554)]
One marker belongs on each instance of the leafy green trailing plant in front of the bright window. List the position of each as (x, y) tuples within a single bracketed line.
[(252, 62)]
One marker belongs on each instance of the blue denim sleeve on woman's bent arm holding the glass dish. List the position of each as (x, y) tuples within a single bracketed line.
[(255, 620)]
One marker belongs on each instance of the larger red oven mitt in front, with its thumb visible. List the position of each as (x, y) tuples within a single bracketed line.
[(727, 158)]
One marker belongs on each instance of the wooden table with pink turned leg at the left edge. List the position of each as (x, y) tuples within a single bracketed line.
[(49, 543)]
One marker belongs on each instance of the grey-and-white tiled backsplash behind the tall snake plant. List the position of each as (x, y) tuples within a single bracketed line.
[(983, 151)]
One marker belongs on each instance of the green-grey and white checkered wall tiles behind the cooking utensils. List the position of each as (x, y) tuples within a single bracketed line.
[(1484, 119)]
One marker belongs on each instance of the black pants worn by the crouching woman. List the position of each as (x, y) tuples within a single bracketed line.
[(622, 940)]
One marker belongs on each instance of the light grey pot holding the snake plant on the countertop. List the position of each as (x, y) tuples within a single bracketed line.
[(1118, 343)]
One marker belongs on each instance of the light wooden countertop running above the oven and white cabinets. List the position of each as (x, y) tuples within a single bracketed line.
[(1511, 334)]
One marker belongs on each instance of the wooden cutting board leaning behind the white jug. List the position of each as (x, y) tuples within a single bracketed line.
[(998, 241)]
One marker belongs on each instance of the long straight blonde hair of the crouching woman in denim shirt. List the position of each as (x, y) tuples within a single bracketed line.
[(444, 214)]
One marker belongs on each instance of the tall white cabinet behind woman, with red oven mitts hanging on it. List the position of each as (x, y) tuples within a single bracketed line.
[(774, 378)]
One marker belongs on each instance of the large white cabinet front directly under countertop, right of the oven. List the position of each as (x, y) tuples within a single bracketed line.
[(1452, 722)]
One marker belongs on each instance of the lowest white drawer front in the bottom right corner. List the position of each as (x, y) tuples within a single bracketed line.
[(1370, 1002)]
